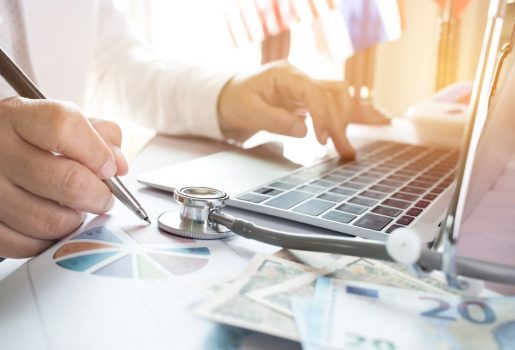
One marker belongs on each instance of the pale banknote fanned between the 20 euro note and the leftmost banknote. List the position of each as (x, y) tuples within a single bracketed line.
[(278, 297)]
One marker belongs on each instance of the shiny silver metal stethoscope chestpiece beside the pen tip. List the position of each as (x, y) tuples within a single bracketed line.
[(192, 219)]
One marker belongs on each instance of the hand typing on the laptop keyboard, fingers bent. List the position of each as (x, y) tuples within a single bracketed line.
[(277, 97)]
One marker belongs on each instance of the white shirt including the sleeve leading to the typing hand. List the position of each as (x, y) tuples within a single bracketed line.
[(80, 48)]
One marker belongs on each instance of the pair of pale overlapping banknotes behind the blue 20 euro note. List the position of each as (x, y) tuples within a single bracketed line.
[(262, 297)]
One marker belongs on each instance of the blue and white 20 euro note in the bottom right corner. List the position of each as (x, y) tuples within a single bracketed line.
[(365, 316)]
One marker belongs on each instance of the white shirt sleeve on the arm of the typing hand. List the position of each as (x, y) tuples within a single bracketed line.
[(172, 96)]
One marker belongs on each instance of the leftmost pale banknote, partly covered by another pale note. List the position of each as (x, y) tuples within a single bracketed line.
[(231, 305)]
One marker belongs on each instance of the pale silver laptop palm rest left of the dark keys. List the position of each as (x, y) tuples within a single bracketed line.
[(234, 171)]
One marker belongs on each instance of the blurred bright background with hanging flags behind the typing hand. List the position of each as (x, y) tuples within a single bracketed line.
[(397, 52)]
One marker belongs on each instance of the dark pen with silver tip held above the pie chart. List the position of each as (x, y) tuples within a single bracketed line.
[(21, 83)]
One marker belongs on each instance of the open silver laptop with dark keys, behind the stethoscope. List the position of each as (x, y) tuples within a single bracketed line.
[(389, 185)]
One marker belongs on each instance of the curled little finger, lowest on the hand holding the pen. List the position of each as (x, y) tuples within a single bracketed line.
[(16, 245)]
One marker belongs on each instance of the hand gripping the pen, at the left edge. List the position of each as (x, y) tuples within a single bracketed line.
[(52, 160)]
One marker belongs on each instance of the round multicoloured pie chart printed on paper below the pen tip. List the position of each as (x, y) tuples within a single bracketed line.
[(118, 253)]
